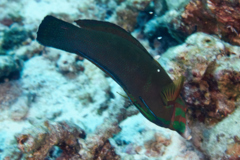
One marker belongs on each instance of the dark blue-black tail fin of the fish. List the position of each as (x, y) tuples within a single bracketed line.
[(56, 33)]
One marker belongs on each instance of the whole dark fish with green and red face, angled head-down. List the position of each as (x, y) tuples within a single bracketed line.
[(126, 61)]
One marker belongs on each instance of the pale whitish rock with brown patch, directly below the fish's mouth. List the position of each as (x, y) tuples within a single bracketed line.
[(140, 139)]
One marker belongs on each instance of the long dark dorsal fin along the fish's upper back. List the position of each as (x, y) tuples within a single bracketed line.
[(110, 28)]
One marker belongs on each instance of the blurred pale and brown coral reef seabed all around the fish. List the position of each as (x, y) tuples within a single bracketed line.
[(57, 105)]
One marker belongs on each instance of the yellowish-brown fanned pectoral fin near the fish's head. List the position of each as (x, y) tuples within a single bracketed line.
[(171, 91)]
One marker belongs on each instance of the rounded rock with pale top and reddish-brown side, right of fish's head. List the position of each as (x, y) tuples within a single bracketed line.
[(211, 91)]
